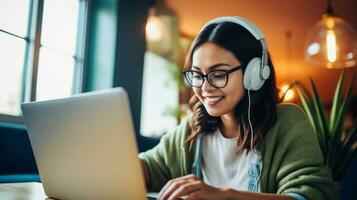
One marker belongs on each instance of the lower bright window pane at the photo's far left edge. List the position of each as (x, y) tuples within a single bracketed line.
[(12, 51)]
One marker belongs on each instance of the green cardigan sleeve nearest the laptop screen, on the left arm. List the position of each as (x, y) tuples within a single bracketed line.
[(166, 160)]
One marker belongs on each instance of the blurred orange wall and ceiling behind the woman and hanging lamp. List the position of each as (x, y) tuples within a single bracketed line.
[(275, 18)]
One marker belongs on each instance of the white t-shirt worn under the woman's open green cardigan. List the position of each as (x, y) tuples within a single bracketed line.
[(222, 167)]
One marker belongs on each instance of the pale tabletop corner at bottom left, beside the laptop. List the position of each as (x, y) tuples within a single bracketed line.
[(22, 191)]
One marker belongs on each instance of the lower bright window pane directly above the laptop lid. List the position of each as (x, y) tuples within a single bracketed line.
[(55, 75)]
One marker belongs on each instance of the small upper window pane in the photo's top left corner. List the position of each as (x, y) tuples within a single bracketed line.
[(14, 16)]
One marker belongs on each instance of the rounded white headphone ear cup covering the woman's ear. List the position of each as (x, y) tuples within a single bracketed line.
[(252, 78)]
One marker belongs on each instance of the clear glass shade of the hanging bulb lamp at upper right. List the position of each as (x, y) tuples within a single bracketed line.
[(331, 43)]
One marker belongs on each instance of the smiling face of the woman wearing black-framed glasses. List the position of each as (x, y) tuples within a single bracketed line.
[(218, 101)]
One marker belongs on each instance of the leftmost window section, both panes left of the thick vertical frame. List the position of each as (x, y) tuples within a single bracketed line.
[(13, 39)]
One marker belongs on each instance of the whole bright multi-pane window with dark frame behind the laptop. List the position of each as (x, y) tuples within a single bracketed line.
[(41, 45)]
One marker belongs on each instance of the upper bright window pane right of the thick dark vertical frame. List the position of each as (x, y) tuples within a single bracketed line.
[(59, 26)]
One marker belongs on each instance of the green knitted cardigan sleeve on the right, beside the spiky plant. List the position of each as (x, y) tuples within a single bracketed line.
[(301, 166)]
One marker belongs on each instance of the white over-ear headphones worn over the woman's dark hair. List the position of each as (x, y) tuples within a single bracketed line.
[(257, 70)]
